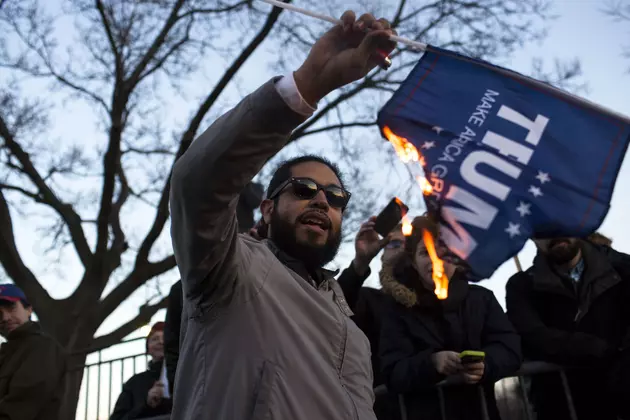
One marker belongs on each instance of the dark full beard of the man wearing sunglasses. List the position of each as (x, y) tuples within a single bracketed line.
[(284, 235)]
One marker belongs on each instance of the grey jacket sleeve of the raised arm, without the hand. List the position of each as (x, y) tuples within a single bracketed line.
[(208, 179)]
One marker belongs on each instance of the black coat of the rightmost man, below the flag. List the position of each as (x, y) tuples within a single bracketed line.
[(565, 324)]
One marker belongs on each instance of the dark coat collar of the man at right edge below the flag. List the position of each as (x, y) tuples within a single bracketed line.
[(599, 275)]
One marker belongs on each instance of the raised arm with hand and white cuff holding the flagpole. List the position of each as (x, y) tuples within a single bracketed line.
[(208, 178)]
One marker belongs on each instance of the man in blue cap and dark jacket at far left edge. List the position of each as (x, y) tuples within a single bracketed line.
[(32, 364)]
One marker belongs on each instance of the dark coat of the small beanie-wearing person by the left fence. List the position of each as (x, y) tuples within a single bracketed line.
[(132, 401)]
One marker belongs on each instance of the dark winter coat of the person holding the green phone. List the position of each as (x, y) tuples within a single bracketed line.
[(419, 325)]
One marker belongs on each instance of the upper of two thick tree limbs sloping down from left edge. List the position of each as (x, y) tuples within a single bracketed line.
[(47, 196)]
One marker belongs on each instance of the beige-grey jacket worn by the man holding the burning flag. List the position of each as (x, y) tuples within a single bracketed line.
[(259, 341)]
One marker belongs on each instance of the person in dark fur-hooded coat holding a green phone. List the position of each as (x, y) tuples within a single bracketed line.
[(422, 337)]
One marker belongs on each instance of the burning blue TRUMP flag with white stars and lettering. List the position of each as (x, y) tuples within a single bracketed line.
[(508, 157)]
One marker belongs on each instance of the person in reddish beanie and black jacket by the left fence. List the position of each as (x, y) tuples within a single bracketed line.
[(142, 395)]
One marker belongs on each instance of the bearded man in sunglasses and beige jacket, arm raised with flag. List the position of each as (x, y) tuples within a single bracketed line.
[(266, 331)]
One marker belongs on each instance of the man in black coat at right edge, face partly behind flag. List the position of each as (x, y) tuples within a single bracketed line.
[(571, 308)]
